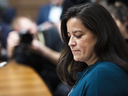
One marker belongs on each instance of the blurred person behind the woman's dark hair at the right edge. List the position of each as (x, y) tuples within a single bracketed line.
[(120, 15)]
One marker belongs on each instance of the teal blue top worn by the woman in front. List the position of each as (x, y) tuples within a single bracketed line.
[(101, 79)]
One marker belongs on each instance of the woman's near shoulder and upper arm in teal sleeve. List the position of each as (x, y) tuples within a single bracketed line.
[(107, 78)]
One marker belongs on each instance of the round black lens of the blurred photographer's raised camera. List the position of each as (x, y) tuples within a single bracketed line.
[(25, 37)]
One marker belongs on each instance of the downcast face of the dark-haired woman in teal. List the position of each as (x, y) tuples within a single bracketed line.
[(81, 41)]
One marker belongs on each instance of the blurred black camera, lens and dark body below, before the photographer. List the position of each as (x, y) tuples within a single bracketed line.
[(21, 52)]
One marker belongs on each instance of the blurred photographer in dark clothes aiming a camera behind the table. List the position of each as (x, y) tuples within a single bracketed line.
[(43, 52)]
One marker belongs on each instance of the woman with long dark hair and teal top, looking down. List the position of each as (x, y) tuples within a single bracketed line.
[(95, 60)]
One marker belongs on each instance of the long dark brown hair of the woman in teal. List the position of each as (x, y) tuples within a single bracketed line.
[(110, 45)]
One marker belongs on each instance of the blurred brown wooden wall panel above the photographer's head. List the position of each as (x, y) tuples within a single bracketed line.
[(27, 7)]
